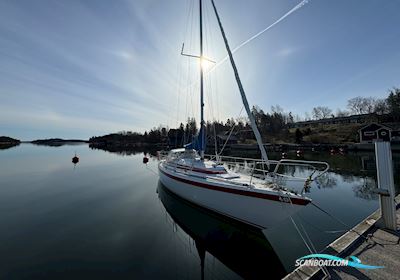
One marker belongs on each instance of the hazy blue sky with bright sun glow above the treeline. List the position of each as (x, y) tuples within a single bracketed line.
[(76, 69)]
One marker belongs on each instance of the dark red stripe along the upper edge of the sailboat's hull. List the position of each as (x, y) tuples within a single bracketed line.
[(297, 201)]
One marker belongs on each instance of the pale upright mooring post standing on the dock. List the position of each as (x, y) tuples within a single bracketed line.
[(384, 168)]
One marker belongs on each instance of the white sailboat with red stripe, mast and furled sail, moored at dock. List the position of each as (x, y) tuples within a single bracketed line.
[(257, 201)]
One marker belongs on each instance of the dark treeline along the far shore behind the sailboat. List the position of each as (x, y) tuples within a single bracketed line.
[(275, 122)]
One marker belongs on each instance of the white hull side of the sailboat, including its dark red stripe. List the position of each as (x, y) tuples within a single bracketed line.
[(257, 211)]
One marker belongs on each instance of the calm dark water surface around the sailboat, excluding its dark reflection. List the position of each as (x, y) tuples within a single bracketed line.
[(108, 217)]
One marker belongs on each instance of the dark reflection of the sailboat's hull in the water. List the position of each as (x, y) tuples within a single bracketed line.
[(240, 247)]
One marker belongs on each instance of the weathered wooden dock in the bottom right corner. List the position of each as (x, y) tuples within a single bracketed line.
[(368, 242)]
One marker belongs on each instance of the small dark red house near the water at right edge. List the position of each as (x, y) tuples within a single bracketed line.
[(384, 132)]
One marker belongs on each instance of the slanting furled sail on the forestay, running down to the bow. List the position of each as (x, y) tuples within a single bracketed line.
[(242, 93)]
